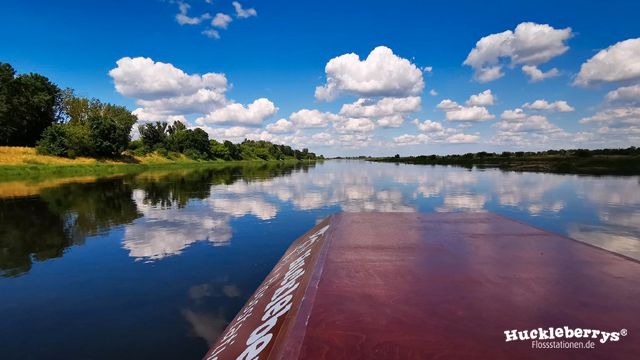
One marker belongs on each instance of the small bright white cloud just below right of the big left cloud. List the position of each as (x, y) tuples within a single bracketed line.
[(253, 114)]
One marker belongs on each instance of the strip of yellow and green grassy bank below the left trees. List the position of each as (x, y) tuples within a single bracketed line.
[(23, 163)]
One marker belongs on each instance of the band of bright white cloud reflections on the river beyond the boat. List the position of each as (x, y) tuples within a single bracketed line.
[(604, 211)]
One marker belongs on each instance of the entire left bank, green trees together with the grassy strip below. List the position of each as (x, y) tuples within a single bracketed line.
[(45, 130)]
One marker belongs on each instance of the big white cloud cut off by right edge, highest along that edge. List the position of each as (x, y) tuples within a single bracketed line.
[(618, 62)]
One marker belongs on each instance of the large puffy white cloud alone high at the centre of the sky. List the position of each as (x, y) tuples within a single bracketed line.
[(382, 73)]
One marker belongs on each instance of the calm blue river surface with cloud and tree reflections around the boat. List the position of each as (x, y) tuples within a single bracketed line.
[(155, 265)]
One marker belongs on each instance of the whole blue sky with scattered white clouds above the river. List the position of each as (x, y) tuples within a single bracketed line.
[(267, 63)]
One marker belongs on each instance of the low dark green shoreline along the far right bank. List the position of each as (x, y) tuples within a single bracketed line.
[(578, 161)]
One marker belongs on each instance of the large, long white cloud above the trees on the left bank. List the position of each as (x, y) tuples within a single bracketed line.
[(146, 79)]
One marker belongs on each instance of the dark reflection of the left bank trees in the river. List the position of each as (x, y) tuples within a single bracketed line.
[(42, 227)]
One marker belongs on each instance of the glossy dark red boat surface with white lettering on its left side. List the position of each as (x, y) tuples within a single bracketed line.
[(436, 286)]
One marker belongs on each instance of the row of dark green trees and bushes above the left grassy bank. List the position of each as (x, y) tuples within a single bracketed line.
[(36, 112)]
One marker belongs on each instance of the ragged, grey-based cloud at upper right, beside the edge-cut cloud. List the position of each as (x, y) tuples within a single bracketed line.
[(530, 44)]
